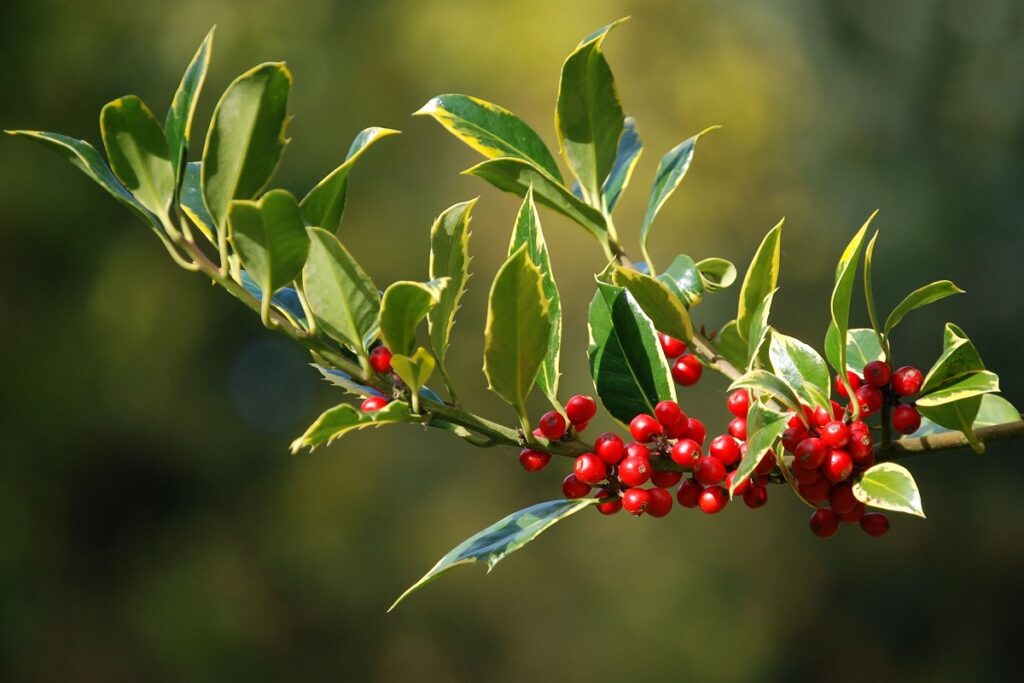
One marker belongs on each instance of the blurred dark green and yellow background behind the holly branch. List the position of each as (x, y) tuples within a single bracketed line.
[(153, 526)]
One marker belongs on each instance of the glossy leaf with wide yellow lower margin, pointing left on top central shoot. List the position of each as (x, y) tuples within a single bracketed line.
[(492, 131)]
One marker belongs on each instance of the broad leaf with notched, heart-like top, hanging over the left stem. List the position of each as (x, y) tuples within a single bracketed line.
[(271, 240)]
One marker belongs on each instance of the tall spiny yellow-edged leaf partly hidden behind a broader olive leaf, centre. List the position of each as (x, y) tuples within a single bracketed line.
[(528, 232)]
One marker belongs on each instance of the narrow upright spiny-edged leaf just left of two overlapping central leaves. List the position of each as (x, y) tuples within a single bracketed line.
[(449, 259)]
